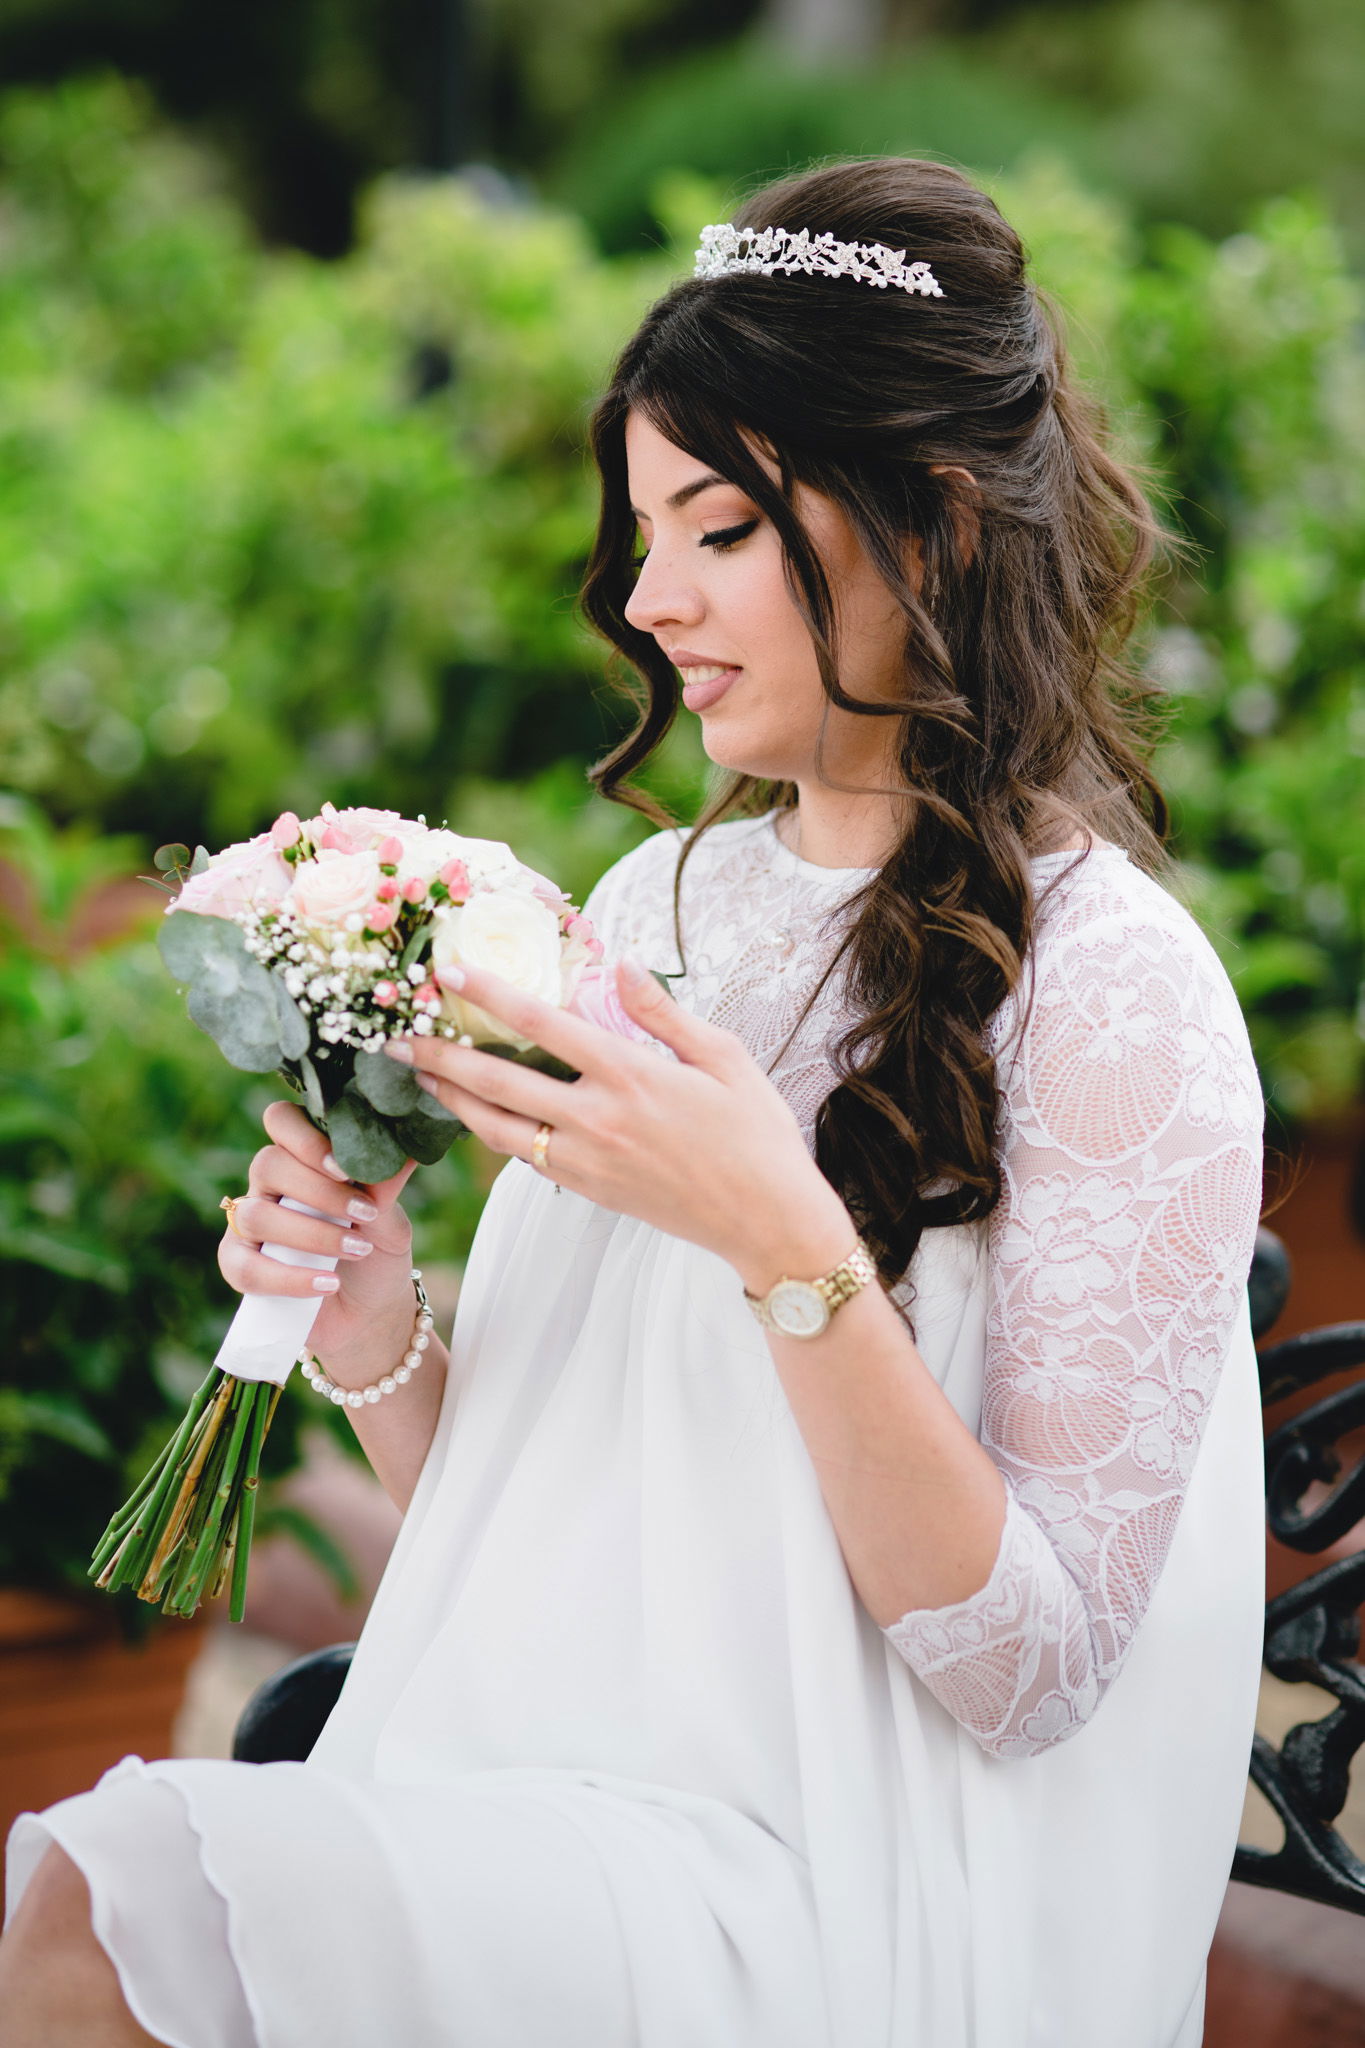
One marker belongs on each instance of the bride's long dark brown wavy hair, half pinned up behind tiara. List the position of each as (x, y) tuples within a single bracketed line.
[(1016, 710)]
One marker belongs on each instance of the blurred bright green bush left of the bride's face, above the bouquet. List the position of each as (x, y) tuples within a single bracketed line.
[(269, 523)]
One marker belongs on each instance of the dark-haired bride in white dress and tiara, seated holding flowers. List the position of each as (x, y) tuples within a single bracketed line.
[(828, 1609)]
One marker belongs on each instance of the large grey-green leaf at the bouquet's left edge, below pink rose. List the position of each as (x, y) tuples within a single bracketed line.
[(245, 1009)]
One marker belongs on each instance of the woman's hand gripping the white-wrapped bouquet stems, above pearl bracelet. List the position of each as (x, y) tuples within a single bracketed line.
[(367, 1306)]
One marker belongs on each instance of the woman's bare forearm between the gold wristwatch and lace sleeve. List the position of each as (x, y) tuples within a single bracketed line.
[(916, 1500)]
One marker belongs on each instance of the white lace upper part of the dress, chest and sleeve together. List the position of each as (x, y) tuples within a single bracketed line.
[(1118, 1254)]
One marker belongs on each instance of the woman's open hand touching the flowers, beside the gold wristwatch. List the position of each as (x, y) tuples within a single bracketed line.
[(703, 1148)]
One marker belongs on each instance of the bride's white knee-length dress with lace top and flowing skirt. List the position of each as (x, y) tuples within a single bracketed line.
[(623, 1762)]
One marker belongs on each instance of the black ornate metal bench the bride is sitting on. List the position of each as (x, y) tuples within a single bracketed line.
[(1313, 1633)]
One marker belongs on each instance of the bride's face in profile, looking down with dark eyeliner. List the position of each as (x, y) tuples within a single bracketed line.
[(713, 593)]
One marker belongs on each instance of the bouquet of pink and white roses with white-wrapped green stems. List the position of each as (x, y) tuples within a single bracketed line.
[(304, 949)]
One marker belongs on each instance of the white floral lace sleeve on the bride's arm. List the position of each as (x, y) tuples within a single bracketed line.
[(1118, 1267)]
